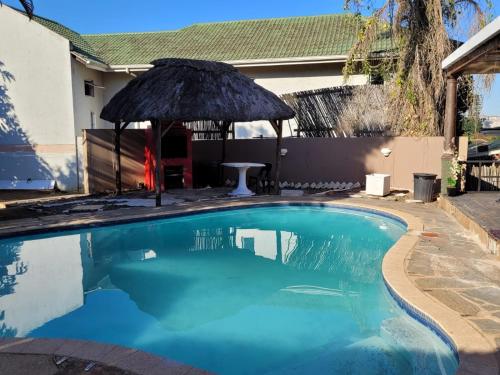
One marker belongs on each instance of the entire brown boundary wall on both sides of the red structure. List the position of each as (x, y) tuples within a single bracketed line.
[(307, 160)]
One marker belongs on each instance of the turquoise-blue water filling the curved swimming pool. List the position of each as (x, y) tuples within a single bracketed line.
[(269, 290)]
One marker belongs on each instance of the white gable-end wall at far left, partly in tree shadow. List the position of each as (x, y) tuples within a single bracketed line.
[(36, 102)]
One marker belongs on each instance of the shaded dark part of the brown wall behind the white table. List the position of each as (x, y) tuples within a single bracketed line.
[(307, 160)]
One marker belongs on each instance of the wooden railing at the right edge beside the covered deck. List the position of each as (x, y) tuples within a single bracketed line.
[(482, 175)]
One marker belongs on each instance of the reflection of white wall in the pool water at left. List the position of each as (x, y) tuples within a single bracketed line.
[(50, 285)]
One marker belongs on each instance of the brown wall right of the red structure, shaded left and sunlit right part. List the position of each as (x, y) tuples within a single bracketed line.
[(335, 159)]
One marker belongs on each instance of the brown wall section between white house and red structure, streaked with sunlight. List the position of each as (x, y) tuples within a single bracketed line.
[(98, 155)]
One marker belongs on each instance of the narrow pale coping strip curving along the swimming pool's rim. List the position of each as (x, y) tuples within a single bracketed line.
[(475, 352)]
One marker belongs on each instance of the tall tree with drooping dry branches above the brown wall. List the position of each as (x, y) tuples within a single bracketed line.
[(422, 33)]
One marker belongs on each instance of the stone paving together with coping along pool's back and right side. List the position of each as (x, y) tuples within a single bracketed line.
[(439, 267)]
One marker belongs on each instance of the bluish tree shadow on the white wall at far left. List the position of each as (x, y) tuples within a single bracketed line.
[(19, 159)]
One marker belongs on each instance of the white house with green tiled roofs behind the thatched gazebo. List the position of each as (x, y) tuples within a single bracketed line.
[(54, 81)]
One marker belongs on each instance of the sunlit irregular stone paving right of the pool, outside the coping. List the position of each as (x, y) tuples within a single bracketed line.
[(449, 264)]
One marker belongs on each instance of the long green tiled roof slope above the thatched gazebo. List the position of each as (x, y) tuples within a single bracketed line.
[(238, 40)]
